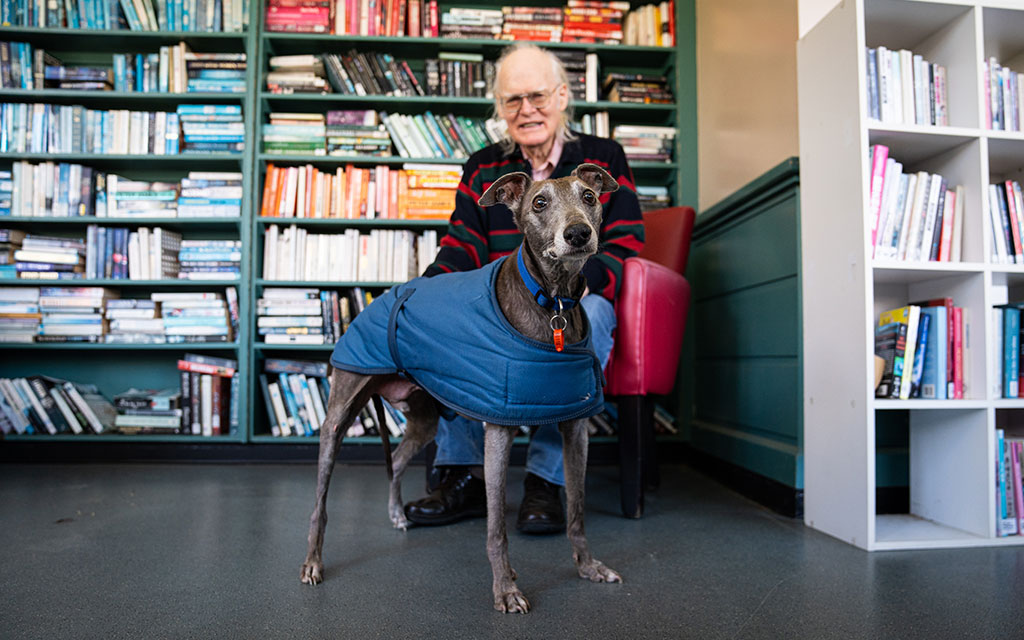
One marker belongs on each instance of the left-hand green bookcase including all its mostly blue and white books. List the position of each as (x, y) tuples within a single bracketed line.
[(125, 168)]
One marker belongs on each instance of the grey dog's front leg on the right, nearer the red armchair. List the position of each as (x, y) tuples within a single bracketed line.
[(575, 441)]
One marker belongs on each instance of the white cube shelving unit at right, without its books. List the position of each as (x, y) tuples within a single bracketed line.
[(952, 476)]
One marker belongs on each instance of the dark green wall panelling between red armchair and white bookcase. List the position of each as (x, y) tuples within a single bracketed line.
[(746, 348)]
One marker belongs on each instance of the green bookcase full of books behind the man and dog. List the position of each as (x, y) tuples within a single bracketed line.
[(365, 120)]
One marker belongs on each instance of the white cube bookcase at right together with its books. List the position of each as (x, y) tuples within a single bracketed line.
[(913, 225)]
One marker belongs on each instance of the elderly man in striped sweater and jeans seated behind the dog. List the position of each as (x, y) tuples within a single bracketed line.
[(532, 96)]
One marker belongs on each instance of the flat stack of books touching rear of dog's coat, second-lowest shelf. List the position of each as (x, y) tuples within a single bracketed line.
[(297, 317)]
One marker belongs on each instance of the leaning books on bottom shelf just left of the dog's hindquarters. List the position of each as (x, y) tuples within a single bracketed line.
[(295, 394)]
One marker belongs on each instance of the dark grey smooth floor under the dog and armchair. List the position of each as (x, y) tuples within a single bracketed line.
[(214, 551)]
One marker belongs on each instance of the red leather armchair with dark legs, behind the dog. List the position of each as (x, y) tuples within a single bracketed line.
[(652, 313)]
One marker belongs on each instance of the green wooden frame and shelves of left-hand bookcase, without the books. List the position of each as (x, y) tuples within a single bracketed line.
[(115, 368)]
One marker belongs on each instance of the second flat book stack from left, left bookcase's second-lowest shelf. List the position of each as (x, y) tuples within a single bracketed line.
[(73, 314)]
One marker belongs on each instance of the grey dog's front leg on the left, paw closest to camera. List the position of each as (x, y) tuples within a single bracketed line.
[(497, 447)]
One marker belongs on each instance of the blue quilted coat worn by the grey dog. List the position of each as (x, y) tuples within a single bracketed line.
[(448, 335)]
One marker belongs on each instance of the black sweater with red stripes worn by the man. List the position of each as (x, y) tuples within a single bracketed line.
[(478, 236)]
